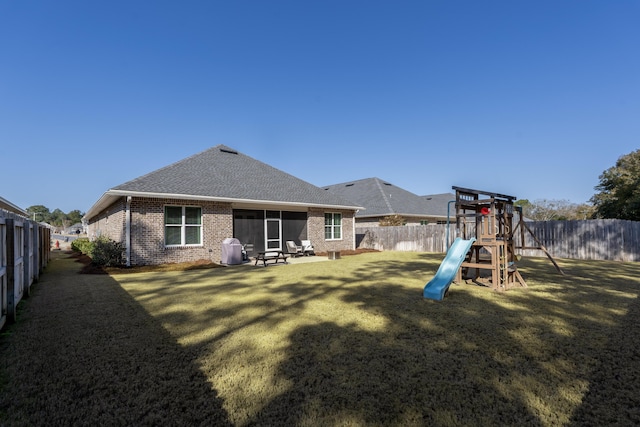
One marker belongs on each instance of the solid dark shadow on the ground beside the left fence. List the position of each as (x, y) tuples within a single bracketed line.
[(86, 353)]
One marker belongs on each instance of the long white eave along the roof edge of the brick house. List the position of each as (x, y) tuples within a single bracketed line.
[(111, 196)]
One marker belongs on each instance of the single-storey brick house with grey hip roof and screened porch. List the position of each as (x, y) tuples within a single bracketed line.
[(184, 211)]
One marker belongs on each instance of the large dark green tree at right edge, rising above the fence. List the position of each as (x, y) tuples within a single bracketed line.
[(618, 194)]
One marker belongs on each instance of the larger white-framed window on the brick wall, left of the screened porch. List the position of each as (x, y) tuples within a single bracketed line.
[(182, 225)]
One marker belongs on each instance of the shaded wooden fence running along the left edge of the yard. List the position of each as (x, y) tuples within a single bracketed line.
[(24, 252)]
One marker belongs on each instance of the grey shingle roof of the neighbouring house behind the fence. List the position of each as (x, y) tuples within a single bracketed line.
[(381, 198)]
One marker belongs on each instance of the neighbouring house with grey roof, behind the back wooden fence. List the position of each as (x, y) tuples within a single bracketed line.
[(382, 199)]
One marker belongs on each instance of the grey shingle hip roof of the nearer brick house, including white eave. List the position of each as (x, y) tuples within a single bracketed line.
[(224, 174)]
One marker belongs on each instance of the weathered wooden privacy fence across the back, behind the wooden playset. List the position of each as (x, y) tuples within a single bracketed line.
[(598, 239)]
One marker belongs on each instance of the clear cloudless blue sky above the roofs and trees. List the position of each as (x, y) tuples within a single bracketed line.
[(533, 99)]
